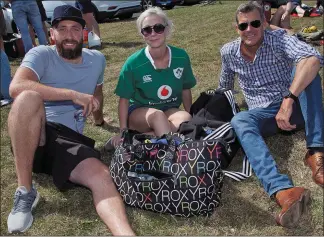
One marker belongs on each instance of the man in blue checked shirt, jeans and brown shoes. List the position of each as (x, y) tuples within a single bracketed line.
[(278, 100)]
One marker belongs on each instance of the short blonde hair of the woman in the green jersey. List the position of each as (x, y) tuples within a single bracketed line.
[(158, 12)]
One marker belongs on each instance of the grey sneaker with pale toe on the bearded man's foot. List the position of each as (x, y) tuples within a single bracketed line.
[(20, 218)]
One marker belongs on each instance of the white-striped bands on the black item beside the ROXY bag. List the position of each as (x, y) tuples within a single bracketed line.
[(219, 132)]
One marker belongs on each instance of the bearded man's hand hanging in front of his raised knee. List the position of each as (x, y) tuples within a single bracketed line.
[(88, 102)]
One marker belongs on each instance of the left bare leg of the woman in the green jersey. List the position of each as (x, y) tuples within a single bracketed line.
[(148, 119)]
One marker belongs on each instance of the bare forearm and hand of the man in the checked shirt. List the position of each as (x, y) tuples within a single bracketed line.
[(306, 71)]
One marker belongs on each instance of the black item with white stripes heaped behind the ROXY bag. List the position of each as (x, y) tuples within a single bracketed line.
[(211, 116)]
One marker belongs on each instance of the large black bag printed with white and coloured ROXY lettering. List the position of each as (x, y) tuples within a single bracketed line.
[(170, 175)]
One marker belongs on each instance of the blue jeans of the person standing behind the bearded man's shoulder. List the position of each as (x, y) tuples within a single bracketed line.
[(20, 11)]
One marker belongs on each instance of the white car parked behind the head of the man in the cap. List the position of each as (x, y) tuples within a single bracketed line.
[(122, 9)]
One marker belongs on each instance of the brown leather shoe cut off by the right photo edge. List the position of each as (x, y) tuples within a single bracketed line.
[(315, 160)]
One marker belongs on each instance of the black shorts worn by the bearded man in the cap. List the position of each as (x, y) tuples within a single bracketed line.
[(63, 151)]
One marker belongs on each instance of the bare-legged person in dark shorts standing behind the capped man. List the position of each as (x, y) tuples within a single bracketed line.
[(87, 13)]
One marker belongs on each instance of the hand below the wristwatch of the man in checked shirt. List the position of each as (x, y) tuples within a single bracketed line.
[(284, 115)]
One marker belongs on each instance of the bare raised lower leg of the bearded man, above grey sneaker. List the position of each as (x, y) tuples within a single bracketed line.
[(26, 124)]
